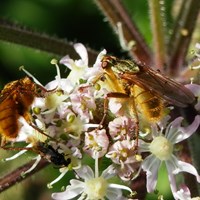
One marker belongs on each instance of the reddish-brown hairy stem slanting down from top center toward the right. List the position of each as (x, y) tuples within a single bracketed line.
[(115, 12)]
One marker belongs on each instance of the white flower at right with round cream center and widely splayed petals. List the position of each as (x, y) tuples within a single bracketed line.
[(161, 149)]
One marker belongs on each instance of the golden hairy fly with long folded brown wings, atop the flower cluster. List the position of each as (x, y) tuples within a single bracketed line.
[(146, 87)]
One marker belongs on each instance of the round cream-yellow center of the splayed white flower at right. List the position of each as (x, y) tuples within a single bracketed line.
[(161, 148)]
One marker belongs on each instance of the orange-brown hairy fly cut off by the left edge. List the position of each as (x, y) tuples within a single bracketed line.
[(15, 100)]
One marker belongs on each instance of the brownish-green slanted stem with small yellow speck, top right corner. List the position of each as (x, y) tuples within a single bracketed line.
[(180, 40)]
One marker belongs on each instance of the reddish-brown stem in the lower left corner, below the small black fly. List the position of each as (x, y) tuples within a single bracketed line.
[(15, 177)]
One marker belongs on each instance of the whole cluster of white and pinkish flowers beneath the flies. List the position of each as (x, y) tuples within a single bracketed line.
[(82, 124)]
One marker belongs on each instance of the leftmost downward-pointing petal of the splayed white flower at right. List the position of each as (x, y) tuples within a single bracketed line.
[(151, 165)]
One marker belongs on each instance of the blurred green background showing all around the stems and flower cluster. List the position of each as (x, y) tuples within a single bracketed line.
[(76, 21)]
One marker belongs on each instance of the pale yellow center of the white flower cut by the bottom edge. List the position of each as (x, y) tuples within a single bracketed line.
[(96, 188)]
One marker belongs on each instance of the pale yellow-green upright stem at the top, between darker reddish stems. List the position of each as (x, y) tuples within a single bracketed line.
[(157, 24)]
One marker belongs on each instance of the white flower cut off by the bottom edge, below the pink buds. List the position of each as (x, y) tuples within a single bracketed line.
[(94, 186)]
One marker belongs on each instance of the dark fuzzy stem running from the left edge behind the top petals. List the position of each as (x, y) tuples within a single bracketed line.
[(11, 32)]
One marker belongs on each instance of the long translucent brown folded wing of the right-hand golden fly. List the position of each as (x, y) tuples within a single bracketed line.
[(161, 85)]
